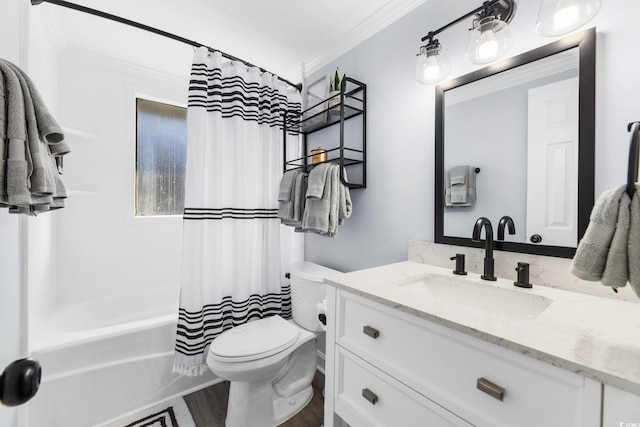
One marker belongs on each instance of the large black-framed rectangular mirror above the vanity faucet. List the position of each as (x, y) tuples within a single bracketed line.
[(524, 131)]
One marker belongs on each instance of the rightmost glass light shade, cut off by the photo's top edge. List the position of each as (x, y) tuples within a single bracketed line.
[(558, 17)]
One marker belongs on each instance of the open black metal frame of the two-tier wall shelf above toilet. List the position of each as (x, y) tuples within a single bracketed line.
[(352, 103)]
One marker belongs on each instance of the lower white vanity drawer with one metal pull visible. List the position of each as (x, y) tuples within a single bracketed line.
[(367, 397)]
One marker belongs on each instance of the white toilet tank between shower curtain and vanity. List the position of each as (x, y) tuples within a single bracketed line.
[(307, 291)]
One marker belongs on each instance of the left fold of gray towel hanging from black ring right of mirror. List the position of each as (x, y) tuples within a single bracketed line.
[(591, 255)]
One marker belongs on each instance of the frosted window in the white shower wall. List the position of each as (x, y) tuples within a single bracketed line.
[(161, 152)]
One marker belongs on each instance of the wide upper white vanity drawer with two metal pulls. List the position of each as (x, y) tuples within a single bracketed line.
[(444, 365)]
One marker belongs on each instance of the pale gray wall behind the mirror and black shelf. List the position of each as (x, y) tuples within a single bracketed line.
[(397, 204)]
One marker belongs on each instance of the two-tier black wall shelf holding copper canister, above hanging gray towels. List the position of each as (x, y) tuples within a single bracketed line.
[(342, 144)]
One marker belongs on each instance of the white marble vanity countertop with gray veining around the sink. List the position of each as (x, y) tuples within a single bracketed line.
[(589, 335)]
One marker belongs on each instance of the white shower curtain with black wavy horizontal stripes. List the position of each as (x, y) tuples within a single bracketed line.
[(232, 270)]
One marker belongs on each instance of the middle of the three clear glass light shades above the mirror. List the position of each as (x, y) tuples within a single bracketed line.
[(490, 39)]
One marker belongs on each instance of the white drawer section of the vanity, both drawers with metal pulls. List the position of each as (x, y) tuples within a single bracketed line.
[(388, 368)]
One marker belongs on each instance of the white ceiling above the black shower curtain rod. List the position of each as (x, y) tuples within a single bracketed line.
[(277, 35)]
